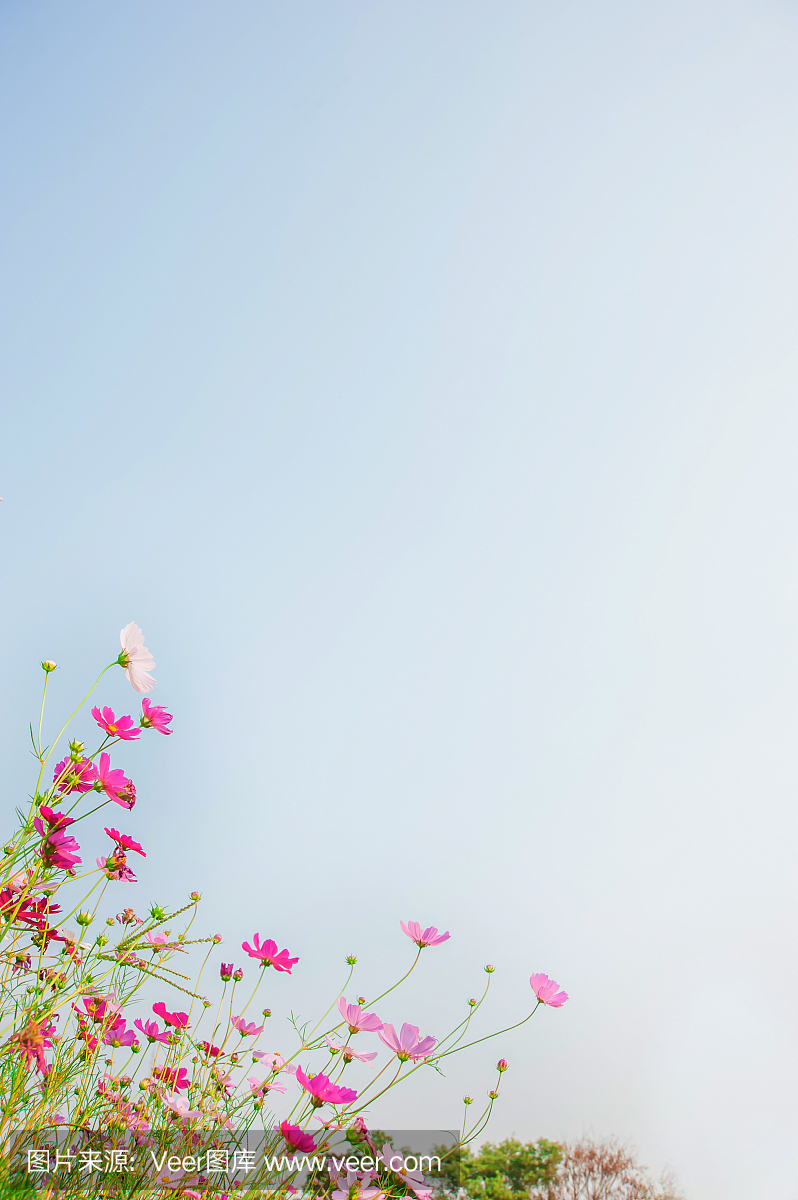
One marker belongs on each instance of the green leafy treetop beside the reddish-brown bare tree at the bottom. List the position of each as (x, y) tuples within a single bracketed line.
[(506, 1172)]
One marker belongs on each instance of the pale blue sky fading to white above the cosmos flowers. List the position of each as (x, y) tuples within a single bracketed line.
[(422, 377)]
